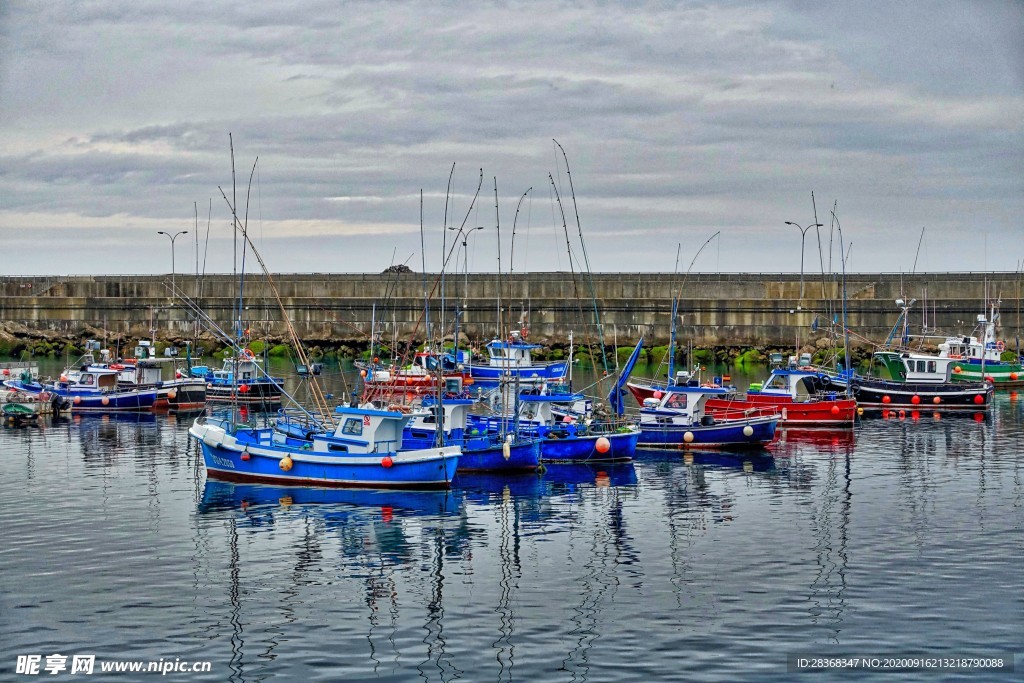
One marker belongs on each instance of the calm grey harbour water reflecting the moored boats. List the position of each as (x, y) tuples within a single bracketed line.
[(904, 537)]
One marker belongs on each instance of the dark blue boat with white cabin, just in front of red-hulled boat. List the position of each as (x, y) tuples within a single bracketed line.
[(678, 420)]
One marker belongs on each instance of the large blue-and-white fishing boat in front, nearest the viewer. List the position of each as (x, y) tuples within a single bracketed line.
[(364, 451)]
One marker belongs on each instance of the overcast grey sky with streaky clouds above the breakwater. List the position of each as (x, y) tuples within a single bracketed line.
[(679, 120)]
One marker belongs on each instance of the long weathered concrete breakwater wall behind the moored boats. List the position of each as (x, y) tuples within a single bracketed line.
[(720, 310)]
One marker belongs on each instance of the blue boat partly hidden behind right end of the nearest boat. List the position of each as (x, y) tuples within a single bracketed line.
[(482, 451)]
